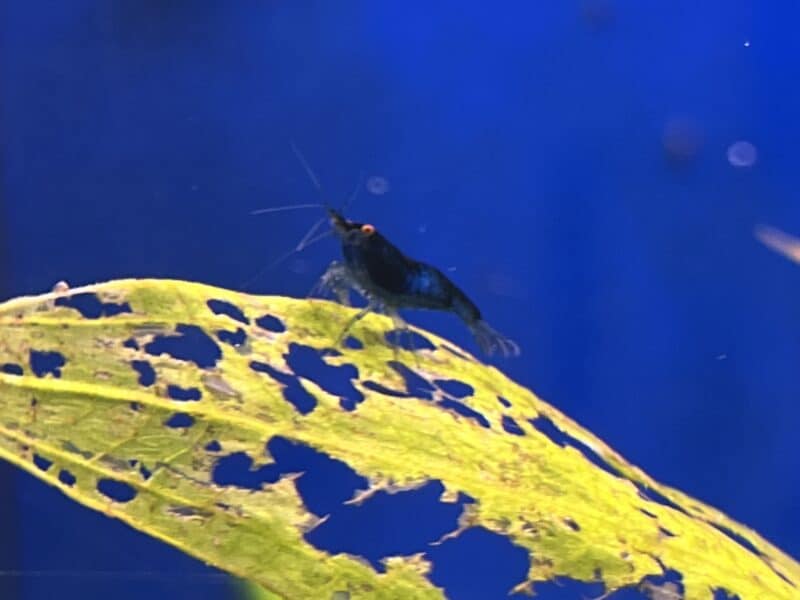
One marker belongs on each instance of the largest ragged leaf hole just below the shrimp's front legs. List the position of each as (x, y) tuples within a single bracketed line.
[(307, 362)]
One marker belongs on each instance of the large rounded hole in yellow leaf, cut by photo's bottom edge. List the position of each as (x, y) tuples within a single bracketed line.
[(460, 565)]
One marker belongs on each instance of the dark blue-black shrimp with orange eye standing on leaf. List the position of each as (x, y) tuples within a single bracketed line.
[(391, 281)]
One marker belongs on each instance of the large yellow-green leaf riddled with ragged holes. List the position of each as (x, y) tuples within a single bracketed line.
[(92, 418)]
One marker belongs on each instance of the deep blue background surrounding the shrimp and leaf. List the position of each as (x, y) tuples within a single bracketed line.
[(566, 161)]
